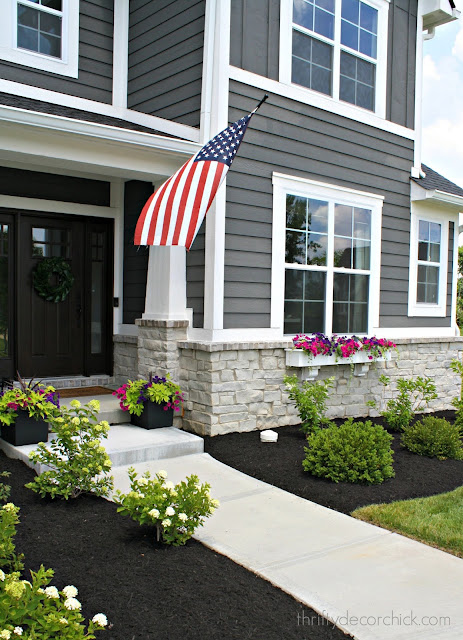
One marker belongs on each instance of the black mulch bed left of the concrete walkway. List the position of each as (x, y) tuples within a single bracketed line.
[(149, 591)]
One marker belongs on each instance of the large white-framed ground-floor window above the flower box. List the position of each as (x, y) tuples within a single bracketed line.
[(330, 259)]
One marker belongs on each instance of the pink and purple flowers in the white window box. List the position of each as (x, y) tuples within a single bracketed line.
[(343, 347)]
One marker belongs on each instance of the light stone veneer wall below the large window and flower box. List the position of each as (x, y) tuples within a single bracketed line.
[(239, 386)]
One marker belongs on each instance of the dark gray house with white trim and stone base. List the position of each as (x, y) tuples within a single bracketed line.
[(327, 222)]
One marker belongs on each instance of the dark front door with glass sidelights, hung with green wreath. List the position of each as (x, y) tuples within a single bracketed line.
[(71, 336)]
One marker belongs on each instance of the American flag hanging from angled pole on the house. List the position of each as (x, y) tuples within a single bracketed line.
[(175, 211)]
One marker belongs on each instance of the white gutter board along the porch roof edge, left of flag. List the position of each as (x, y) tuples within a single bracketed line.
[(107, 132)]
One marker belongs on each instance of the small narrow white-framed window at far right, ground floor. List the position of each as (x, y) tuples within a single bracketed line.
[(428, 266)]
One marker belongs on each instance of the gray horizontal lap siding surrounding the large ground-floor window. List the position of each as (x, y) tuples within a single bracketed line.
[(299, 140)]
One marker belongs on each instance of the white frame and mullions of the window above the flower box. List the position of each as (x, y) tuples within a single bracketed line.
[(285, 184)]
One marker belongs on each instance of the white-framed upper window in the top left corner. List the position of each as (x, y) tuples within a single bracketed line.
[(43, 34)]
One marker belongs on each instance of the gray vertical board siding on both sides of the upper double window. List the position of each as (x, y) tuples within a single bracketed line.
[(255, 28)]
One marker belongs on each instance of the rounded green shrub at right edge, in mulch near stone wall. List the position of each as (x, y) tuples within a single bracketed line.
[(435, 438)]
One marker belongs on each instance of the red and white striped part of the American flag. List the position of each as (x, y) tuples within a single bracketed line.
[(174, 213)]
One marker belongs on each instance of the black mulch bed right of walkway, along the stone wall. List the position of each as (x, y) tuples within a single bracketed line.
[(280, 464)]
